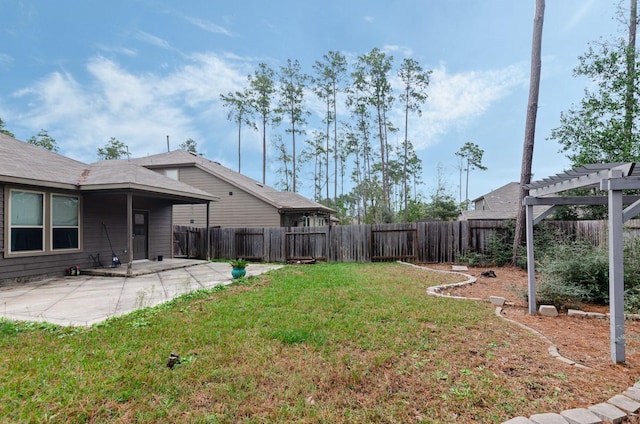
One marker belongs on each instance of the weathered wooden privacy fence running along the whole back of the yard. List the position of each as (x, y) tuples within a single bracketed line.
[(427, 242)]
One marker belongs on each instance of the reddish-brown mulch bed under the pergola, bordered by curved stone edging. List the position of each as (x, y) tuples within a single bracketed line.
[(584, 340)]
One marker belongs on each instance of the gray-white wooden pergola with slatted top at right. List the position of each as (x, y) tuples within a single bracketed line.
[(613, 179)]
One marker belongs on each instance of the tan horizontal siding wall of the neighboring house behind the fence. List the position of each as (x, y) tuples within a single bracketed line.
[(238, 209)]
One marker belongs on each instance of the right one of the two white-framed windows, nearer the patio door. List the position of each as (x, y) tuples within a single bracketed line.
[(65, 228)]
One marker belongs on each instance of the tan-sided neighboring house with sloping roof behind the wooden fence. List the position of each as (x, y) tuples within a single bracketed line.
[(244, 202)]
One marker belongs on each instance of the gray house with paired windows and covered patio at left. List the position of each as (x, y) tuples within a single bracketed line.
[(56, 212)]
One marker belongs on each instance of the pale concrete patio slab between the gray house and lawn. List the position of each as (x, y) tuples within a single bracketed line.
[(87, 299)]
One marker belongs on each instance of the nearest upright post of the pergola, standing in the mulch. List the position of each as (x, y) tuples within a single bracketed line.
[(616, 273)]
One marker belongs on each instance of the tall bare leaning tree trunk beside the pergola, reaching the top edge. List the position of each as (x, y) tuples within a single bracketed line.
[(530, 126)]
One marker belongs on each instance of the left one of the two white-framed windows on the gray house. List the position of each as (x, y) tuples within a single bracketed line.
[(26, 223)]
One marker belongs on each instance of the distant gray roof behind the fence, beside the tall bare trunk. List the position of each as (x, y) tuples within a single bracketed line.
[(501, 203)]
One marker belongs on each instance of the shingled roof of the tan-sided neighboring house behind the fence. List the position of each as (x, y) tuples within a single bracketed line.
[(282, 200)]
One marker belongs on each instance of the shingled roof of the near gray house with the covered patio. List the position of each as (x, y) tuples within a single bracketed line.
[(24, 163)]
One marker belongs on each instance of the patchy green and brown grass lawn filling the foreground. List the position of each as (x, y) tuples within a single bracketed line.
[(323, 343)]
